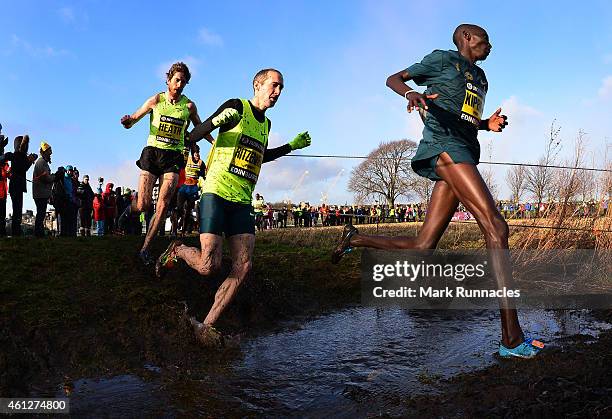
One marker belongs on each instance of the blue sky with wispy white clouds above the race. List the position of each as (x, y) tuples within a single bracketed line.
[(70, 70)]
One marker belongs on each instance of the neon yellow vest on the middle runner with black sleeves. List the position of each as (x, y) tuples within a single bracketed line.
[(235, 160)]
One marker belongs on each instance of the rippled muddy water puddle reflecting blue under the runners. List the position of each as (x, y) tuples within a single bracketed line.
[(349, 363)]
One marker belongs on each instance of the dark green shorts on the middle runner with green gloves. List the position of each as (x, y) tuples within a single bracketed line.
[(218, 216)]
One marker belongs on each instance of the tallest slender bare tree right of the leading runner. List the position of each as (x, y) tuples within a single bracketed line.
[(540, 178)]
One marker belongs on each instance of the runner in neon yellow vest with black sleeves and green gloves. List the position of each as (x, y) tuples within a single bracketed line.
[(225, 206)]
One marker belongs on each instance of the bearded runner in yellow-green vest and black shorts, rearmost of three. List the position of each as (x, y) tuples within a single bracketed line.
[(170, 114)]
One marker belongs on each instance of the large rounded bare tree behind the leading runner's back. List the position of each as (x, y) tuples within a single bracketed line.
[(385, 173)]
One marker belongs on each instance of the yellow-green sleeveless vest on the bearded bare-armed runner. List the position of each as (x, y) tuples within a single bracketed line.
[(168, 124)]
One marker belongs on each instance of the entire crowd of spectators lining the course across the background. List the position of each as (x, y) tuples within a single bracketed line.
[(77, 207)]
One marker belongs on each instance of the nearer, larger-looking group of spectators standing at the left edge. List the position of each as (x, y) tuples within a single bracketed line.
[(75, 206)]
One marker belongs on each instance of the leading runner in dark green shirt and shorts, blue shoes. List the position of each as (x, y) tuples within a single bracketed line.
[(448, 154)]
